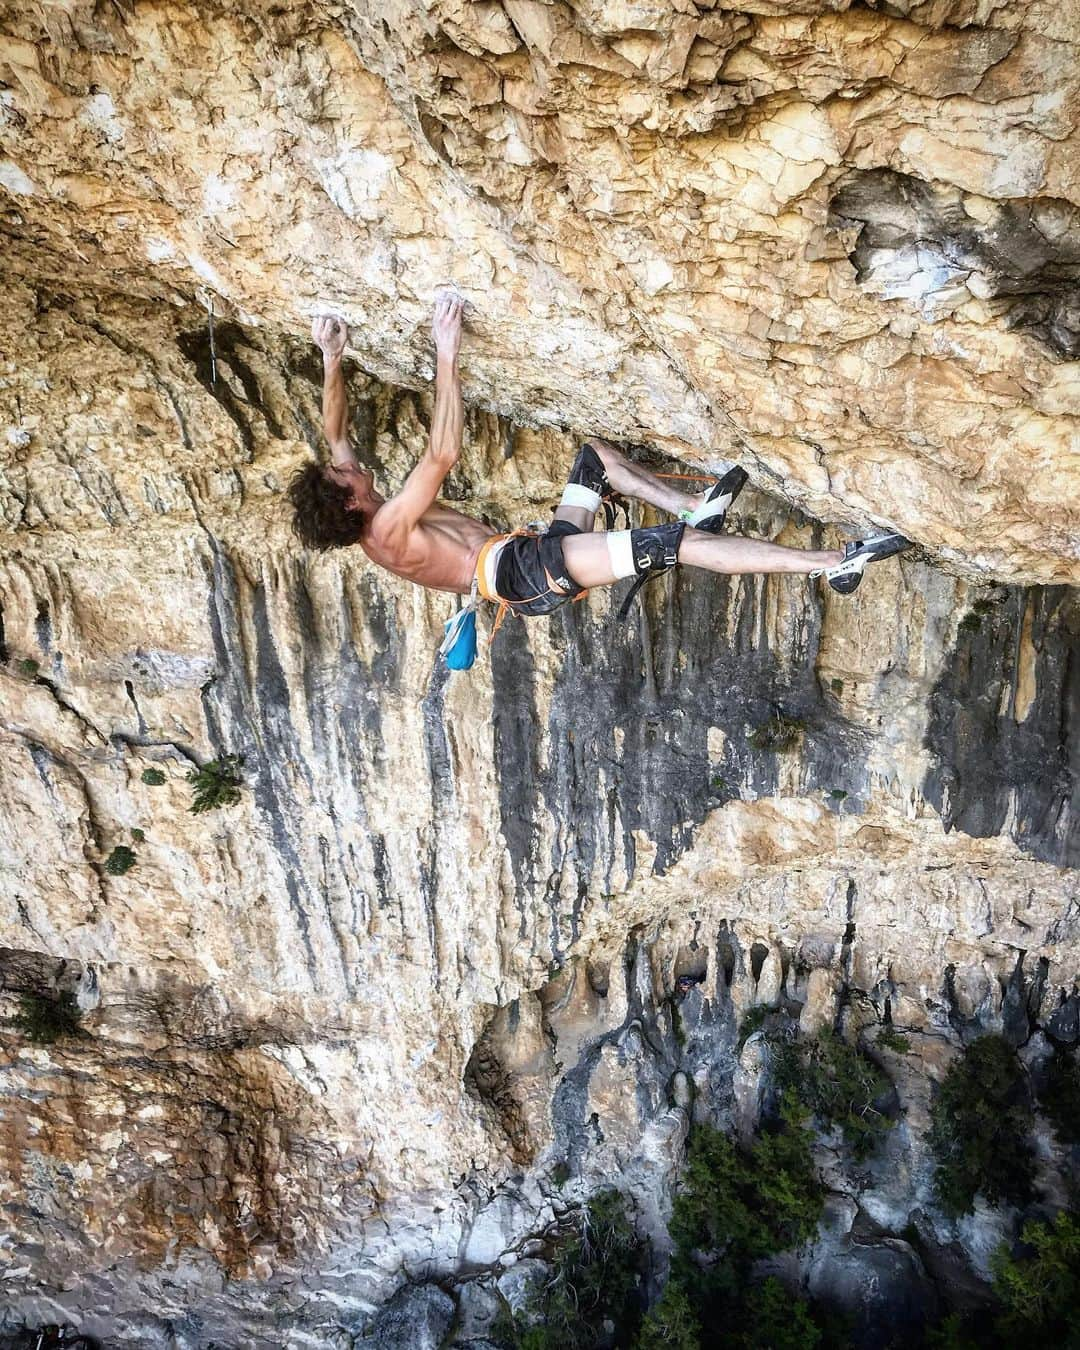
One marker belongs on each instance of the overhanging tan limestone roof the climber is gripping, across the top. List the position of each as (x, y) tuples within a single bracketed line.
[(840, 245)]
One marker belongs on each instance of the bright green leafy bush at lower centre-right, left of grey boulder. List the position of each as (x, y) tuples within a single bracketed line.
[(746, 1206)]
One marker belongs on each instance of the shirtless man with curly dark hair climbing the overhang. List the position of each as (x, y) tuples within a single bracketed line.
[(415, 537)]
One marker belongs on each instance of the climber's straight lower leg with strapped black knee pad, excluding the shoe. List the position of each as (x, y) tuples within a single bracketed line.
[(605, 558)]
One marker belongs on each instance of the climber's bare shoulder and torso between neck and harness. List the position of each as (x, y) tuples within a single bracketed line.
[(439, 551)]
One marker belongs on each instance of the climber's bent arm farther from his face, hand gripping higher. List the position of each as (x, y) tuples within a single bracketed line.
[(448, 425)]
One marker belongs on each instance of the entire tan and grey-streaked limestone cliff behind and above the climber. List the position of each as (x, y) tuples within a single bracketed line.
[(391, 1017)]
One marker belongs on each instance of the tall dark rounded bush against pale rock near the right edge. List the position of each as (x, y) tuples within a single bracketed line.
[(979, 1132)]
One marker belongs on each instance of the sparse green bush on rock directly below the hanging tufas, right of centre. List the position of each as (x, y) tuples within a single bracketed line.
[(839, 1085)]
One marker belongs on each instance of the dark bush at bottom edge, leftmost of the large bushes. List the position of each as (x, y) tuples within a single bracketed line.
[(596, 1278)]
